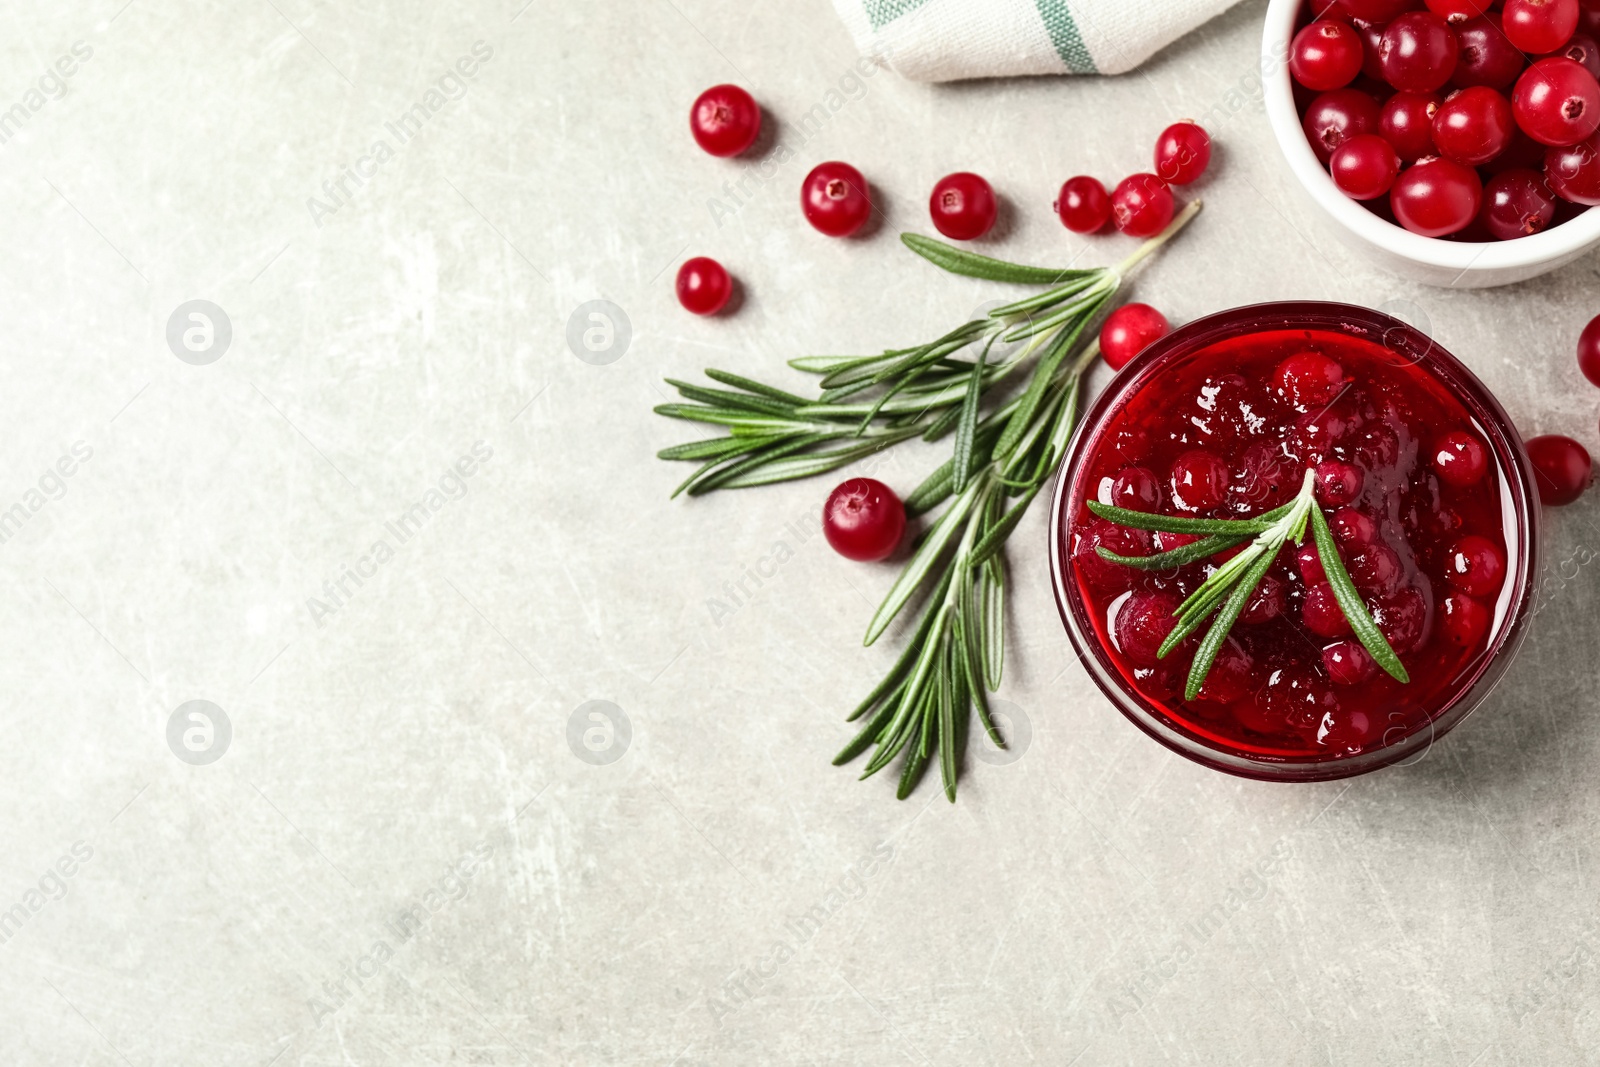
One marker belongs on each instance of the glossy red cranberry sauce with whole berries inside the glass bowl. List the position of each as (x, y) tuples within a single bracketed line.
[(1412, 494)]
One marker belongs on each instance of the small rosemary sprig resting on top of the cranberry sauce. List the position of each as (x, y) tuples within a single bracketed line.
[(1230, 588)]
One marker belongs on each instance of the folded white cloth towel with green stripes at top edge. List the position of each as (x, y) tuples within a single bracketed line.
[(945, 41)]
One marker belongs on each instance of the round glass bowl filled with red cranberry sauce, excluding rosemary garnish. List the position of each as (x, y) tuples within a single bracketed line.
[(1430, 497)]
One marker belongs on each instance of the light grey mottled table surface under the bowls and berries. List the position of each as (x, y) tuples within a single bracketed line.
[(399, 857)]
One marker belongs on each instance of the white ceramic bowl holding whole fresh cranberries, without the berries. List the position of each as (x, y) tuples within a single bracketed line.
[(1454, 265)]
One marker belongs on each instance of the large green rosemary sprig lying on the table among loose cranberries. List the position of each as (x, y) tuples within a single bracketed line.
[(1002, 455)]
